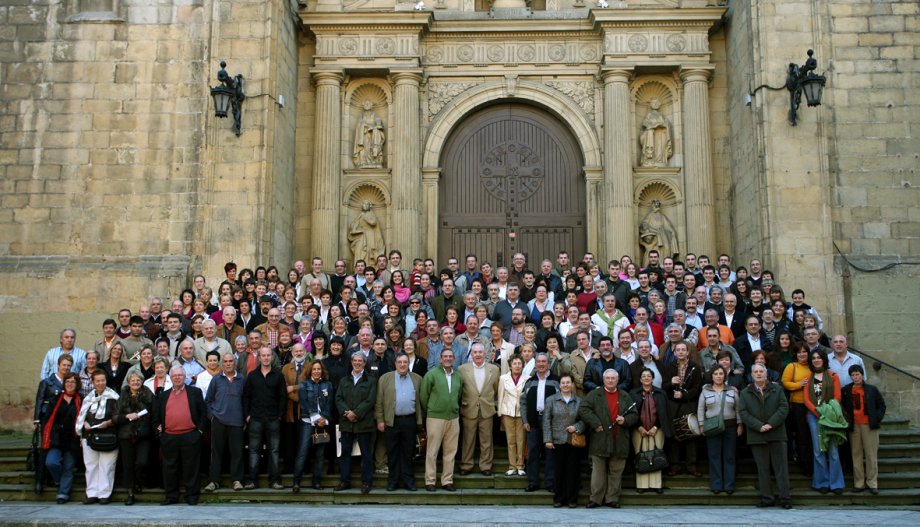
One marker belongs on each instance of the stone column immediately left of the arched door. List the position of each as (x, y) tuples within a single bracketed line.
[(407, 176)]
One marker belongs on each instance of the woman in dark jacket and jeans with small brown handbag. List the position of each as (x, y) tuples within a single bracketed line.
[(315, 395)]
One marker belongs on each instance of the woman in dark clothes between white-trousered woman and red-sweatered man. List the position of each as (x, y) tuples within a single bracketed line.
[(134, 433)]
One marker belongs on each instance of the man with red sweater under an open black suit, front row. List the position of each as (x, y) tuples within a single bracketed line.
[(180, 416)]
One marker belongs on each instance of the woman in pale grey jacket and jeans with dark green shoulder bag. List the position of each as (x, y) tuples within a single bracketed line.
[(717, 411)]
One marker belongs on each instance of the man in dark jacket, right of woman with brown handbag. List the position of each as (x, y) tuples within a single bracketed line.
[(355, 398)]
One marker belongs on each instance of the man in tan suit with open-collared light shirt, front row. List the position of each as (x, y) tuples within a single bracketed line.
[(477, 409)]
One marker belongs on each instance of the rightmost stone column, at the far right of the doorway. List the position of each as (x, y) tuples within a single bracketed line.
[(701, 225)]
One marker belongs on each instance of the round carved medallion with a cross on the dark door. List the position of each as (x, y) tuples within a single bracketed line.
[(511, 170)]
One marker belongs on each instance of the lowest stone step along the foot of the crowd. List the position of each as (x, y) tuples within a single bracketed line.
[(744, 496)]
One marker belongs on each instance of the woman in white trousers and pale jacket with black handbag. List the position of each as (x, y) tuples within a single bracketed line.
[(96, 425)]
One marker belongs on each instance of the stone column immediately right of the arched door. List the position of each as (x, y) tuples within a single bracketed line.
[(619, 229)]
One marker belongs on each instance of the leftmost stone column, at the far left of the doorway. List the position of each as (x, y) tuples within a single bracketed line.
[(327, 166)]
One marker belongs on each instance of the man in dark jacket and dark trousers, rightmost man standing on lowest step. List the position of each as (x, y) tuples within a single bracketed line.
[(763, 409)]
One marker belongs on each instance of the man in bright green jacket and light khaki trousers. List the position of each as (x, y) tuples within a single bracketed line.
[(441, 389)]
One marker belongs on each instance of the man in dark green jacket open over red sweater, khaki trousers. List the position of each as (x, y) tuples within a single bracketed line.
[(608, 414)]
